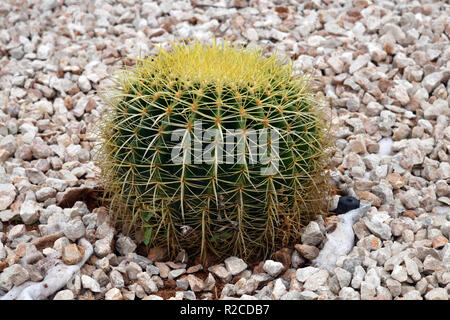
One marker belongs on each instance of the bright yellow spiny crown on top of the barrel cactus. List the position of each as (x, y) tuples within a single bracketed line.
[(216, 64)]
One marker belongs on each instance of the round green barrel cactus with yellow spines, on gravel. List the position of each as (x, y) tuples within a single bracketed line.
[(214, 149)]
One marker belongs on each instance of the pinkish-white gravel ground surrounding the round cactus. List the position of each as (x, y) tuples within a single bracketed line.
[(384, 67)]
